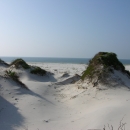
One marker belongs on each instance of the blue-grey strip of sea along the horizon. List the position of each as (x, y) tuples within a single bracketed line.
[(57, 60)]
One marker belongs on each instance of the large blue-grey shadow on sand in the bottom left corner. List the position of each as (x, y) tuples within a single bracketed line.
[(9, 116)]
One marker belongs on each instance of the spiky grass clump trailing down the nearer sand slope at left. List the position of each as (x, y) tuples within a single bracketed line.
[(13, 75)]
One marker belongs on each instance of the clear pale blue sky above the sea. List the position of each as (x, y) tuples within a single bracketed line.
[(64, 28)]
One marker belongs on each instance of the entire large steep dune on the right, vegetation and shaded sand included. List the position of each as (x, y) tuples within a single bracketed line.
[(105, 69)]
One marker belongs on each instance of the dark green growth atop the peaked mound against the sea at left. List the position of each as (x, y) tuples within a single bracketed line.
[(20, 63)]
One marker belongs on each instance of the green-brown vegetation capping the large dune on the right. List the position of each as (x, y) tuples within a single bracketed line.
[(101, 65)]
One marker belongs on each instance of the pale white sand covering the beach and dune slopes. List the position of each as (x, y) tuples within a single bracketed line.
[(54, 103)]
